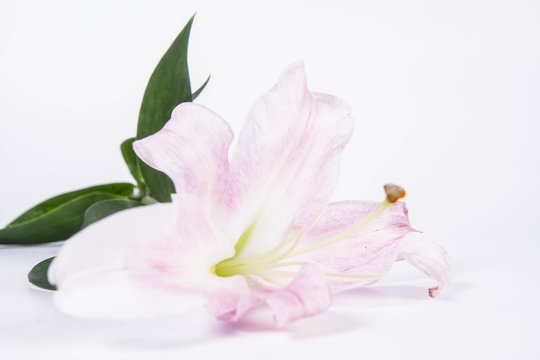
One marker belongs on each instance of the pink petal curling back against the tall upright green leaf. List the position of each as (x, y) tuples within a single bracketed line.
[(192, 149)]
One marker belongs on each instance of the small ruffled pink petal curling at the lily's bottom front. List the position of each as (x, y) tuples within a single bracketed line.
[(307, 295)]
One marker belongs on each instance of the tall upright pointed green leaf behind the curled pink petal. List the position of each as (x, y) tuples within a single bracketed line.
[(168, 86)]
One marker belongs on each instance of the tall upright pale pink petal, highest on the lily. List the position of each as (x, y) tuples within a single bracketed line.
[(286, 161)]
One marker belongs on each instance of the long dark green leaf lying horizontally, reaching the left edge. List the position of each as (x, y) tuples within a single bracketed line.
[(59, 217)]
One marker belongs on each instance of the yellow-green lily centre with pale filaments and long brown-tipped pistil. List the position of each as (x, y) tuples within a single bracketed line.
[(264, 265)]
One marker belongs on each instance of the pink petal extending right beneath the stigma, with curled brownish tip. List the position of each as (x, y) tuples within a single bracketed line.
[(371, 251)]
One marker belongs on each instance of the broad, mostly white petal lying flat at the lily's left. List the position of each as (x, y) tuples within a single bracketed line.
[(149, 261)]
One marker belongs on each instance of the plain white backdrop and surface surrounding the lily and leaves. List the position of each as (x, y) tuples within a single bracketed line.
[(446, 96)]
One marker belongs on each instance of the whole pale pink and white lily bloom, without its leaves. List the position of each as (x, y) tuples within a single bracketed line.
[(256, 230)]
